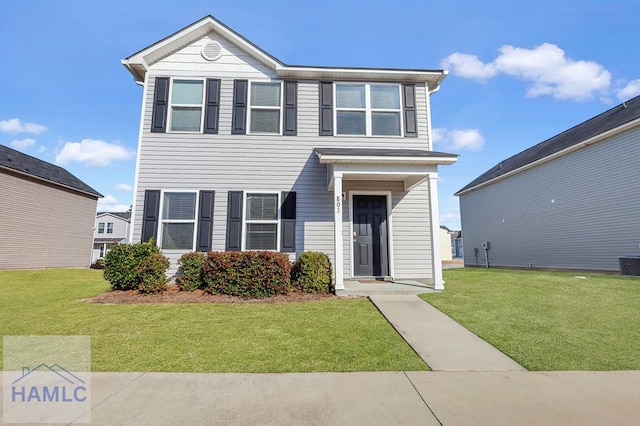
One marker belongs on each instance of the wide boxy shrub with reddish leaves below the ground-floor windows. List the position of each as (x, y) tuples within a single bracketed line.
[(247, 274)]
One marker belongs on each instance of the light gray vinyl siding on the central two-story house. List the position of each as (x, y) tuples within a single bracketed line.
[(226, 162)]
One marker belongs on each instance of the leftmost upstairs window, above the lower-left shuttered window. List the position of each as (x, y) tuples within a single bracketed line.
[(187, 98)]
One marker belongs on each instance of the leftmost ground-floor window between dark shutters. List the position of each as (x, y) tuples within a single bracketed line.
[(178, 220)]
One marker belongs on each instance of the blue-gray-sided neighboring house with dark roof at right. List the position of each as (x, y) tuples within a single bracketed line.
[(570, 202)]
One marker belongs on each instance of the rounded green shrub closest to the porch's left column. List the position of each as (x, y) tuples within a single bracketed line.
[(311, 273)]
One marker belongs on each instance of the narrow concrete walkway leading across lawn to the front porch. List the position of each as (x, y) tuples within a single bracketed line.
[(440, 341)]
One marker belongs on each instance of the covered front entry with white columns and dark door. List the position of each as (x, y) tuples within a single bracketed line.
[(372, 253)]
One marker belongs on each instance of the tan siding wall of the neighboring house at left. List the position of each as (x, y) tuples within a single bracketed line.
[(43, 226)]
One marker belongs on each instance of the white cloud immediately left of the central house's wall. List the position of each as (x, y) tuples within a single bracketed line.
[(92, 152)]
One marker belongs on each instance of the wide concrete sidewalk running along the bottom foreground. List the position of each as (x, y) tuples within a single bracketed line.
[(382, 398)]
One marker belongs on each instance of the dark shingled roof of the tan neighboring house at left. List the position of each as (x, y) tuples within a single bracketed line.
[(27, 165)]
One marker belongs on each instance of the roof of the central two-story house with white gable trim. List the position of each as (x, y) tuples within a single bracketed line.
[(139, 62)]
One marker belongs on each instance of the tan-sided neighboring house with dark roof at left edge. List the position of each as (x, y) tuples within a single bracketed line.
[(46, 214)]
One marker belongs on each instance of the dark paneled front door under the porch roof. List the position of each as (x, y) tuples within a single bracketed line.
[(370, 236)]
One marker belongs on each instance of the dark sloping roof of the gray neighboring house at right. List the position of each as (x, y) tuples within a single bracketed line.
[(596, 129)]
